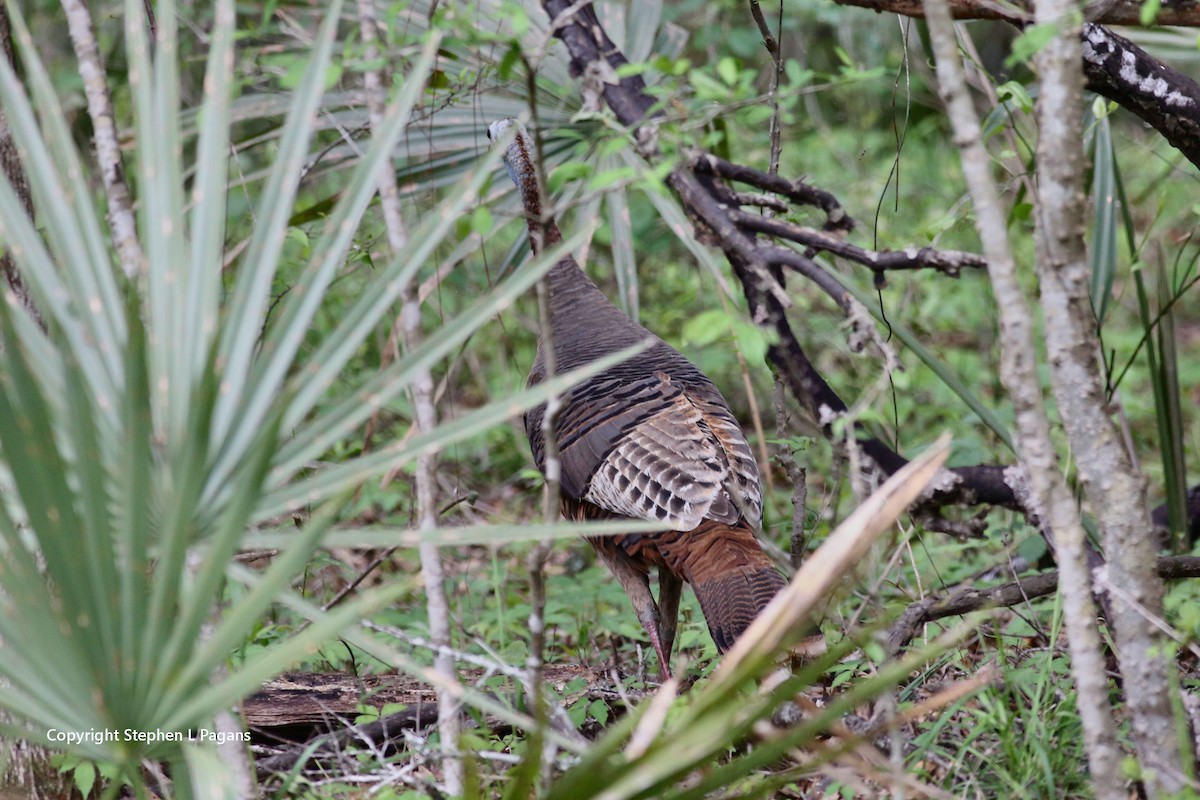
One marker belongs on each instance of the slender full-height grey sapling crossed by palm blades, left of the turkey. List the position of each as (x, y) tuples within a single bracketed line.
[(449, 723)]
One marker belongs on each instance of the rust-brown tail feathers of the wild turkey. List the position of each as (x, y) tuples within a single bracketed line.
[(731, 575)]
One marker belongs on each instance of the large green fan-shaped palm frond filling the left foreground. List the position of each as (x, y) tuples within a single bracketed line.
[(155, 422)]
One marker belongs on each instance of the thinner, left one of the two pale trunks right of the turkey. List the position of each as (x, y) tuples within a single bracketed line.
[(1018, 369)]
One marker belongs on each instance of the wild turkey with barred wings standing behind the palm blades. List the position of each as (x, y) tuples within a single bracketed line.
[(651, 438)]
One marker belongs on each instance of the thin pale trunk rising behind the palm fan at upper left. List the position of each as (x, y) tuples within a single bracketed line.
[(109, 153)]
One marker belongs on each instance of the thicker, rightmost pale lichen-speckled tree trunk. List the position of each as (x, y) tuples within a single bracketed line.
[(1113, 486)]
